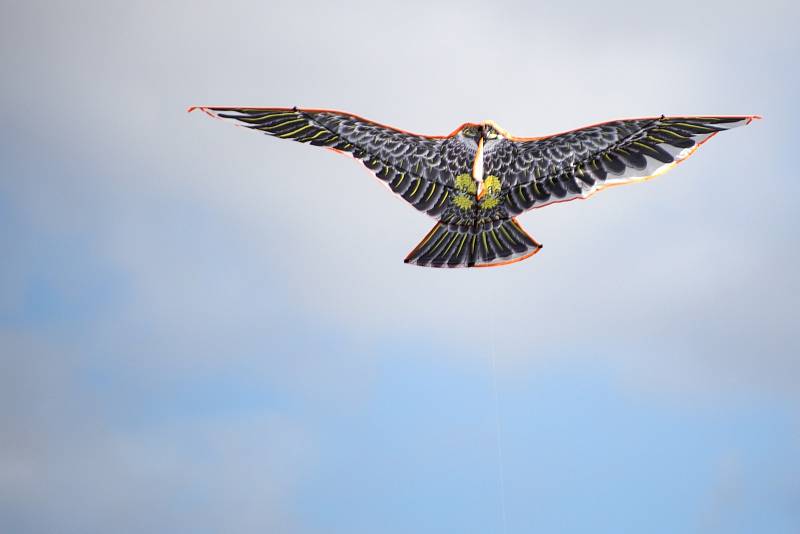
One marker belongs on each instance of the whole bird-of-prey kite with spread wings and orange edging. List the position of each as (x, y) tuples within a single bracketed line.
[(476, 180)]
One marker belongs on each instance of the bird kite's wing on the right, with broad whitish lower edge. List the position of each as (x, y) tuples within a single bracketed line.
[(538, 172)]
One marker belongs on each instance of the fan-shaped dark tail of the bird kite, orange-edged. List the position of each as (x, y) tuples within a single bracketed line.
[(485, 245)]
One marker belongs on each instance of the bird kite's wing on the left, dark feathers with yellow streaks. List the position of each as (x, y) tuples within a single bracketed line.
[(421, 169)]
